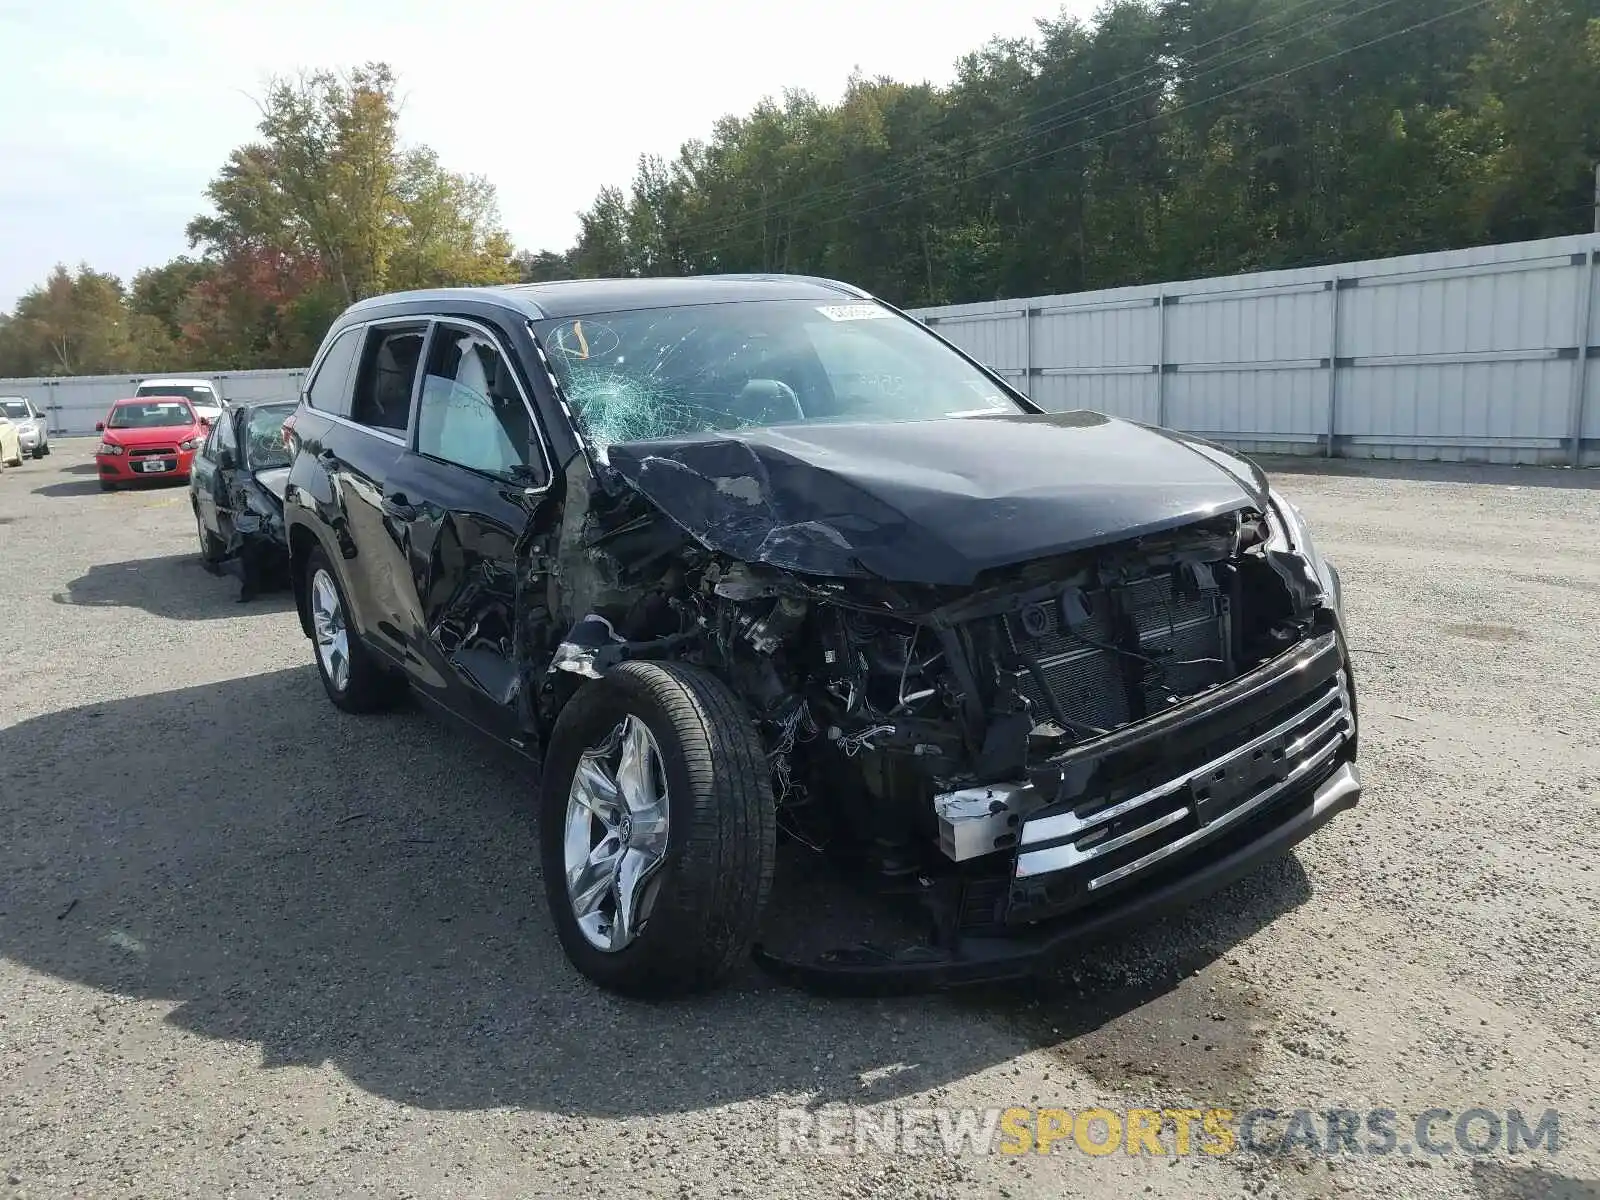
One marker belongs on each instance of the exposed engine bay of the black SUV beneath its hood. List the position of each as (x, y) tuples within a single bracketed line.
[(878, 702)]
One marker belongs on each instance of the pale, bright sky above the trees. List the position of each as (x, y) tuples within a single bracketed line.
[(114, 114)]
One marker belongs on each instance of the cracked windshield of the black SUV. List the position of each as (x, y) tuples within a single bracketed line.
[(700, 369)]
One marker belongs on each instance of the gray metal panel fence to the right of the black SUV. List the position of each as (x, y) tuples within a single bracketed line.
[(1462, 356)]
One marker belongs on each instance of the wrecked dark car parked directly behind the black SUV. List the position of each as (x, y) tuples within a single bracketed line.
[(236, 490)]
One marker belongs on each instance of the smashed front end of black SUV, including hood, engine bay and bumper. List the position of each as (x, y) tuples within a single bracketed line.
[(1026, 676)]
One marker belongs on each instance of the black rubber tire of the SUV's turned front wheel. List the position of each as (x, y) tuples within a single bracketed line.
[(703, 903)]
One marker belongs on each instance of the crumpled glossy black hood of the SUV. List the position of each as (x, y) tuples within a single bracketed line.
[(934, 502)]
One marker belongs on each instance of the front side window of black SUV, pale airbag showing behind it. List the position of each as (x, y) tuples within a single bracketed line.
[(471, 412)]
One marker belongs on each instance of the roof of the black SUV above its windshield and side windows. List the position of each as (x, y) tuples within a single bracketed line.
[(583, 297)]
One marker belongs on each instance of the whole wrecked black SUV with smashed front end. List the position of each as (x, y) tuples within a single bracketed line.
[(751, 556)]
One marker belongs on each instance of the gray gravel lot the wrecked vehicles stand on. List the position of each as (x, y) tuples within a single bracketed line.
[(250, 946)]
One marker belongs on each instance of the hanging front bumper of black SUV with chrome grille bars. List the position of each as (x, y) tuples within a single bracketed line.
[(1137, 825)]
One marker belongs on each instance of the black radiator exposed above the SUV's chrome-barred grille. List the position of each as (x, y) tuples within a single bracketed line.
[(1140, 649)]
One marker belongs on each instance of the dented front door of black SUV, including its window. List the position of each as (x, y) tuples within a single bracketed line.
[(474, 482)]
